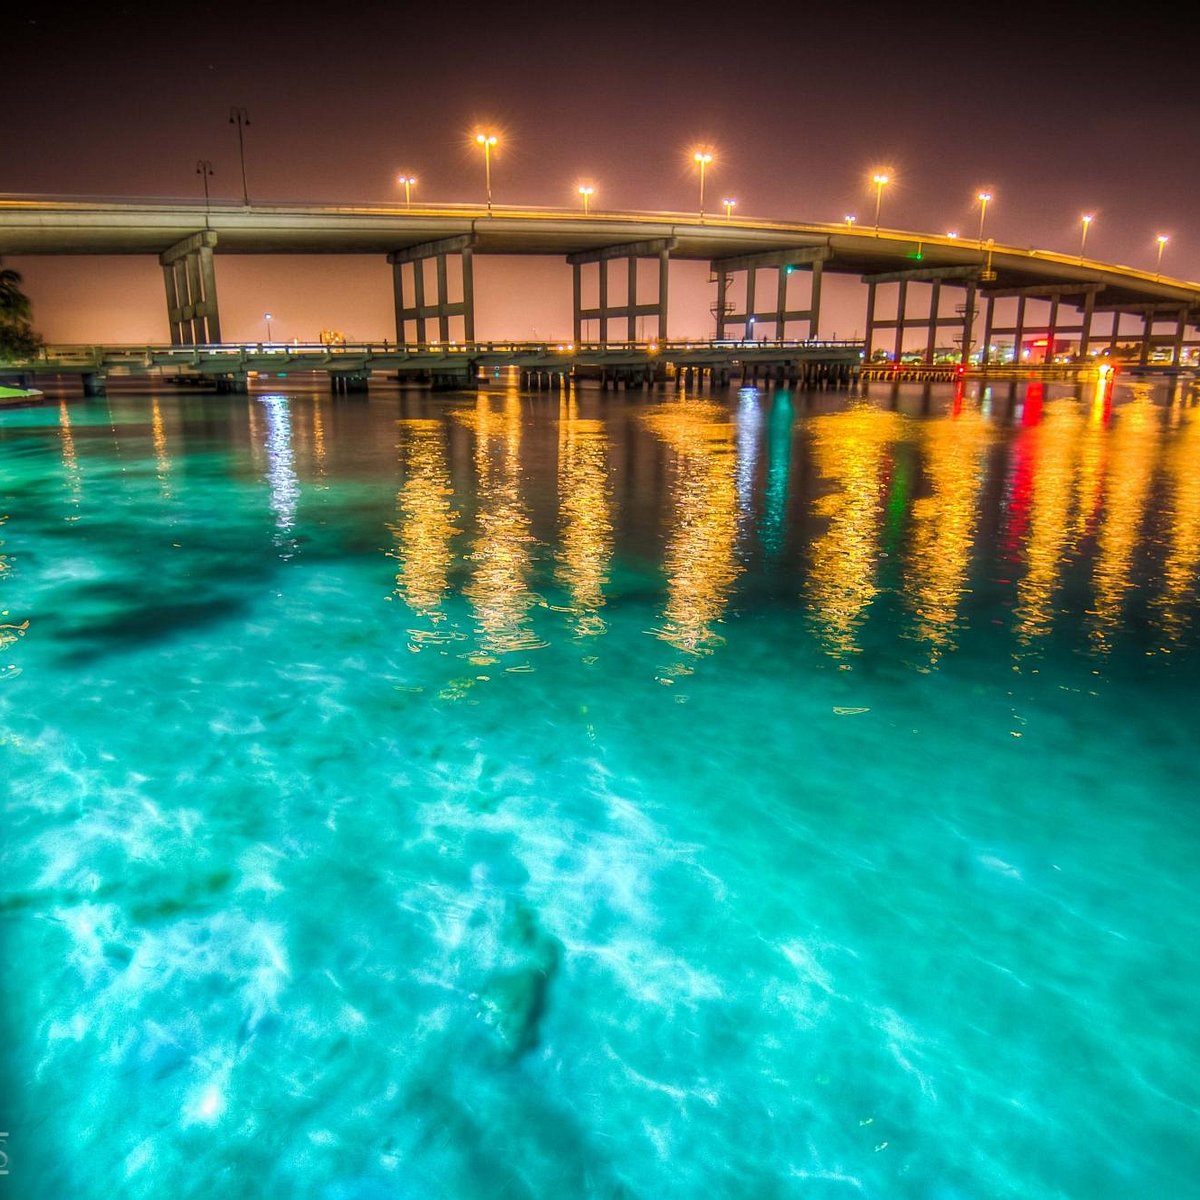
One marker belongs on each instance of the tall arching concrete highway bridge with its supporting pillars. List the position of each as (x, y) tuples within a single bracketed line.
[(923, 289)]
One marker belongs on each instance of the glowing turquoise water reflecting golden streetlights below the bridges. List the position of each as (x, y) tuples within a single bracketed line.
[(619, 795)]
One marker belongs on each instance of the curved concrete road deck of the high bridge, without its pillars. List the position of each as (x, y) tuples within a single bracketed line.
[(63, 226)]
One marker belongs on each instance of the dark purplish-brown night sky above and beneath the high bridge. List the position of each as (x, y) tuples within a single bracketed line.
[(1058, 113)]
